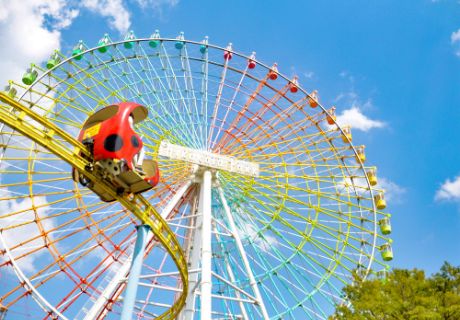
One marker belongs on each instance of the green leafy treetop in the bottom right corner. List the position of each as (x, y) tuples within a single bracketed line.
[(404, 294)]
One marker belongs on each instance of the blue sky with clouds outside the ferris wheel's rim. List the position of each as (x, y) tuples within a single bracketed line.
[(391, 67)]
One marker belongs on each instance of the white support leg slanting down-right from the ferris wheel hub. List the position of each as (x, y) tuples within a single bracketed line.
[(240, 247)]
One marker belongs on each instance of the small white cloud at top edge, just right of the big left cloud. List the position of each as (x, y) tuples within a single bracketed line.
[(119, 17)]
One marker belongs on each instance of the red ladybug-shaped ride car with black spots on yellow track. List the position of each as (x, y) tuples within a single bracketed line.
[(117, 151)]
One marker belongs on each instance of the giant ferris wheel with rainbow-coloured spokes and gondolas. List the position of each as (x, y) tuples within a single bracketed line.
[(264, 210)]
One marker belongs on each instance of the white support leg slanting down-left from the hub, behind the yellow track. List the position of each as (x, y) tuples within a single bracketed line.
[(123, 271)]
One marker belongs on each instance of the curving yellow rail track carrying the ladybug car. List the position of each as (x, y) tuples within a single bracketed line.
[(19, 118)]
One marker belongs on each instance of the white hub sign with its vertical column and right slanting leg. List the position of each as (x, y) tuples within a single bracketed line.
[(205, 168)]
